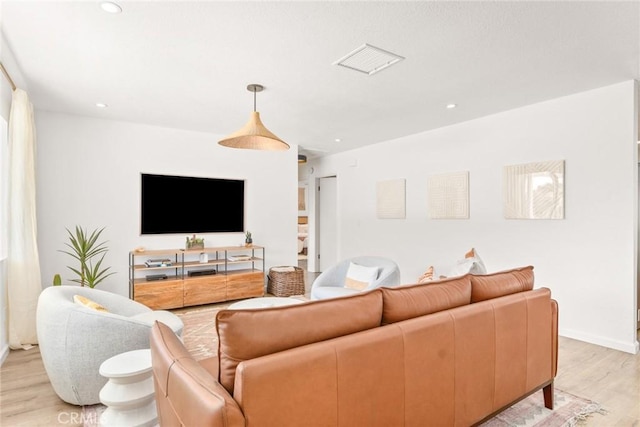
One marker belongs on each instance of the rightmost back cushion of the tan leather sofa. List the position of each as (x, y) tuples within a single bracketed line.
[(484, 287)]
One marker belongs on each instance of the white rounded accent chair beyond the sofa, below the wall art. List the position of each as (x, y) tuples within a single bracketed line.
[(331, 282)]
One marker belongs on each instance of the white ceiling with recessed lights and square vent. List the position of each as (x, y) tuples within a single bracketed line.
[(187, 64)]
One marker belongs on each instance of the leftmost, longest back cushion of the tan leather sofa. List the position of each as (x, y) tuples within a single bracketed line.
[(247, 334)]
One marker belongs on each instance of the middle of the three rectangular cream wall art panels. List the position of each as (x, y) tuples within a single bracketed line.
[(448, 196)]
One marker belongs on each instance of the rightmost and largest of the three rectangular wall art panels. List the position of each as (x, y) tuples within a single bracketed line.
[(534, 190)]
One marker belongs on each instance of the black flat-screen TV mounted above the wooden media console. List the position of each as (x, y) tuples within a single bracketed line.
[(182, 204)]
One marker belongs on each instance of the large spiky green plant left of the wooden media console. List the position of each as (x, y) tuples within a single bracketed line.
[(85, 248)]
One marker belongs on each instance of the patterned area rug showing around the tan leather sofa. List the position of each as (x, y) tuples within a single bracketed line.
[(200, 338)]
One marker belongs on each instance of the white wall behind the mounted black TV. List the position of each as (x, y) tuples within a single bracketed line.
[(89, 175)]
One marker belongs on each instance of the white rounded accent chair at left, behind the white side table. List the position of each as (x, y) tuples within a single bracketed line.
[(74, 340)]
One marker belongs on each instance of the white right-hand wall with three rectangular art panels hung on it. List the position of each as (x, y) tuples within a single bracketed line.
[(588, 259)]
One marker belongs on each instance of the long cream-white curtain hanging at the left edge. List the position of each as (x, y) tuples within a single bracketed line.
[(23, 269)]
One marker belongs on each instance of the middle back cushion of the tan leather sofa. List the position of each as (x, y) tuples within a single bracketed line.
[(406, 302)]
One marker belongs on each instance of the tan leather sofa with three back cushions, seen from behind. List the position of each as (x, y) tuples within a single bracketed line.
[(450, 353)]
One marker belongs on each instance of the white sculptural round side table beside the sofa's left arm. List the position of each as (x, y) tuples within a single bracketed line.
[(129, 394)]
